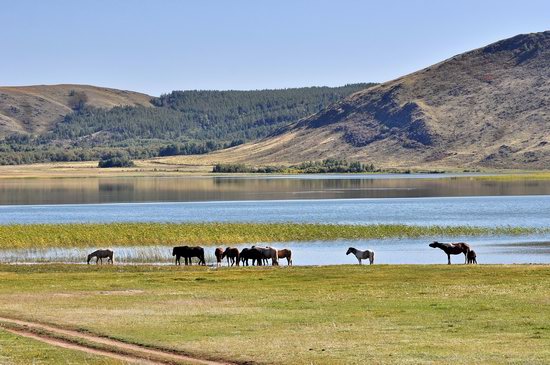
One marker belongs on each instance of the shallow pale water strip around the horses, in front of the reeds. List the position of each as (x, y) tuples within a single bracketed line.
[(493, 250)]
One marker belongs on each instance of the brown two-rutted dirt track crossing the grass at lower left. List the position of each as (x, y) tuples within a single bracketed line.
[(98, 345)]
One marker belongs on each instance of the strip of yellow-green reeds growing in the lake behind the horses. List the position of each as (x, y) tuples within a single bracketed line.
[(133, 234)]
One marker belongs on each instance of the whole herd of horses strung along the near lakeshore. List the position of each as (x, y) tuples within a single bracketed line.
[(260, 256)]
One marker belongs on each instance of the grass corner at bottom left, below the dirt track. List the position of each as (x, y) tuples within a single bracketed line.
[(17, 350)]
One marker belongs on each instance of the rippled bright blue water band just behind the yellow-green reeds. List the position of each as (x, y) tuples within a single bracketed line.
[(529, 211)]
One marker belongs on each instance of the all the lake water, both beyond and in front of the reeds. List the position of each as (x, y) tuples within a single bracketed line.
[(424, 199)]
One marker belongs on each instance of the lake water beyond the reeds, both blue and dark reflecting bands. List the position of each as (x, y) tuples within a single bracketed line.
[(419, 199)]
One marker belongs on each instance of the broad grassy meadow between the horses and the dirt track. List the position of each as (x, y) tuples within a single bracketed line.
[(402, 314)]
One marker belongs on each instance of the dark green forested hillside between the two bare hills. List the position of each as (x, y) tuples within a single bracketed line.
[(182, 122)]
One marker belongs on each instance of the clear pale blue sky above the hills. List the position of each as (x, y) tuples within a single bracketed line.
[(158, 46)]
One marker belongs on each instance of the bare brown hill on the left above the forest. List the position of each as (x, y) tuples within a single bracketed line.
[(34, 109)]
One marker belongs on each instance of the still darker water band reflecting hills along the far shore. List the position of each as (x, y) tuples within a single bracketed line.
[(188, 189)]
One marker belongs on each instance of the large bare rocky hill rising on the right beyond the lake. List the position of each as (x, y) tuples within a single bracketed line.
[(489, 107)]
